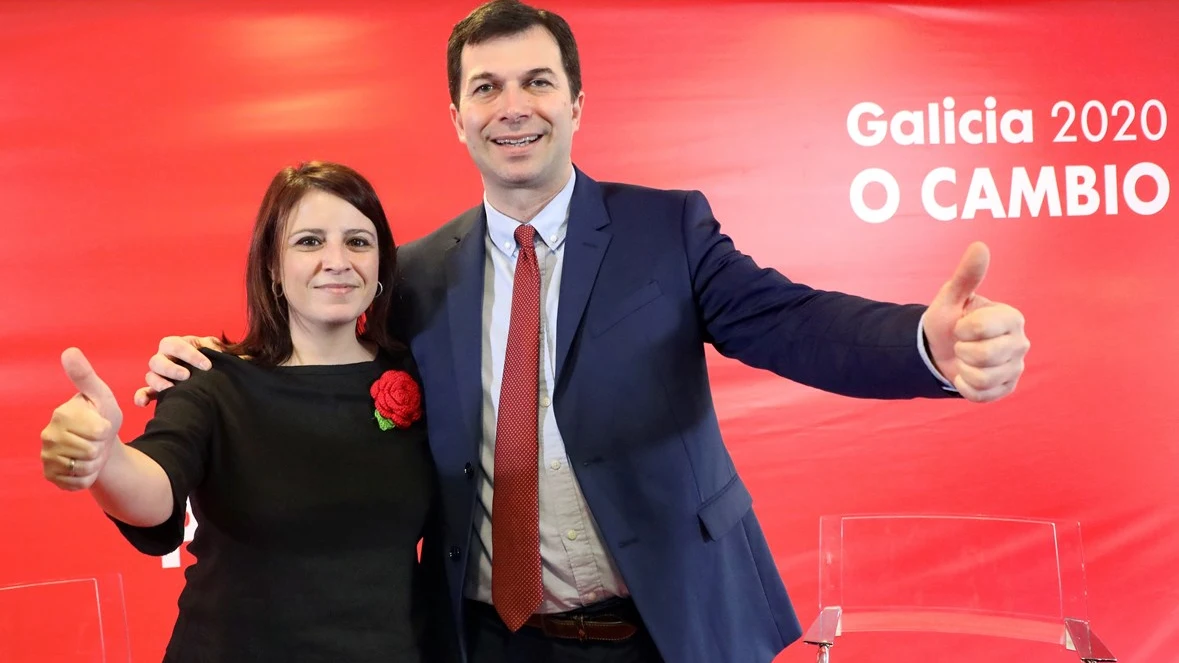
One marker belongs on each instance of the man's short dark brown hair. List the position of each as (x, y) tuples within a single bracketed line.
[(509, 18)]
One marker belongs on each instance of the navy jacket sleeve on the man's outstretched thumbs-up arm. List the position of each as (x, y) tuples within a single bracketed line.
[(833, 342)]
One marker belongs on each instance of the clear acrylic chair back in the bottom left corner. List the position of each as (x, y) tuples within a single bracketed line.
[(67, 621)]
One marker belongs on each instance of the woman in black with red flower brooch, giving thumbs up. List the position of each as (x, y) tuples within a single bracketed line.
[(307, 463)]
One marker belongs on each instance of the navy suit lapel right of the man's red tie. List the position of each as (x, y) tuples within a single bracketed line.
[(585, 245)]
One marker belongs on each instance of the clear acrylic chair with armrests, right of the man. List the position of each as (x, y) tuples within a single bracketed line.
[(1004, 577)]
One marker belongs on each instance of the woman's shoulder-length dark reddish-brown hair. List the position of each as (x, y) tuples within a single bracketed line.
[(268, 339)]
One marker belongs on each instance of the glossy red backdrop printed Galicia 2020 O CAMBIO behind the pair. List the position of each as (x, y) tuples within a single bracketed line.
[(139, 139)]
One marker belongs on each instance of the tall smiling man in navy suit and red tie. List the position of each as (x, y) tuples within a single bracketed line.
[(591, 510)]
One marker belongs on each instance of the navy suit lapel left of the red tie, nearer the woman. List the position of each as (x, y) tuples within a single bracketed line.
[(465, 308)]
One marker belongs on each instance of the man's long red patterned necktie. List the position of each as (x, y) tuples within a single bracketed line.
[(517, 588)]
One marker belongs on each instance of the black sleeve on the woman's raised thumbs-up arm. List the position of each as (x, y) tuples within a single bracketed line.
[(177, 438)]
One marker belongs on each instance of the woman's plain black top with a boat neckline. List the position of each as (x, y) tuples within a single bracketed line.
[(308, 514)]
